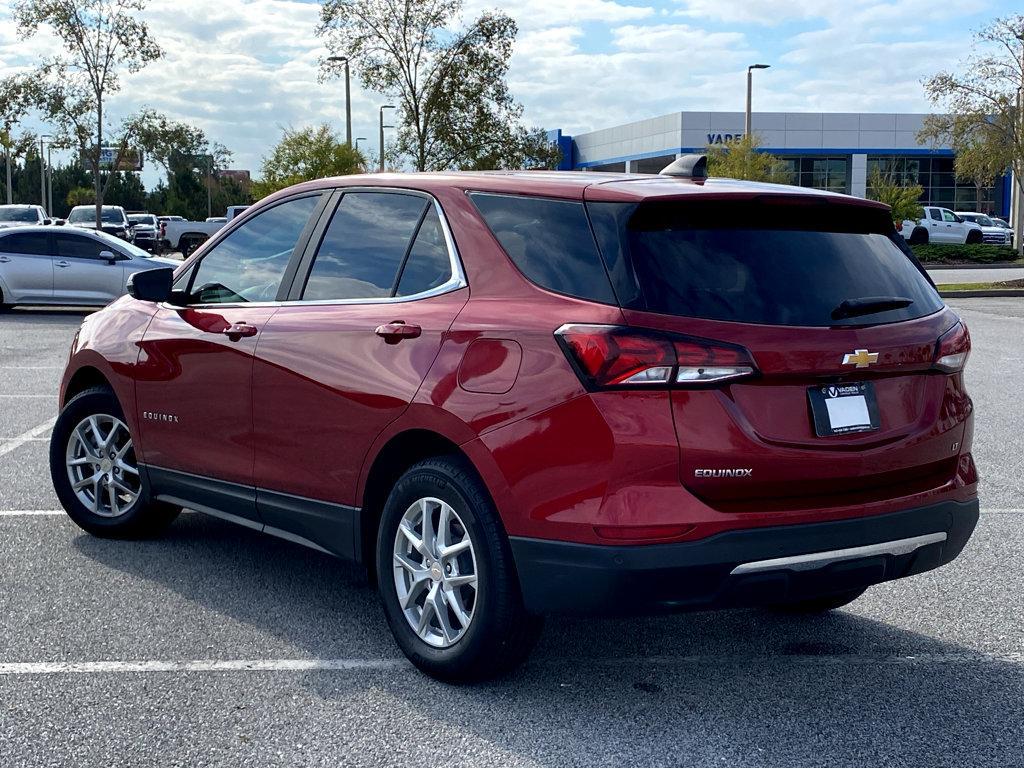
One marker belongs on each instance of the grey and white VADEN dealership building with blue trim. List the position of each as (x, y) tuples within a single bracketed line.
[(826, 151)]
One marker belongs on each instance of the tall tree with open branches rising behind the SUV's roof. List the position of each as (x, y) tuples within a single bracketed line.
[(455, 107)]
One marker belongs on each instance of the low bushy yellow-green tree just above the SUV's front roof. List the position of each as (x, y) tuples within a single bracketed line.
[(305, 155)]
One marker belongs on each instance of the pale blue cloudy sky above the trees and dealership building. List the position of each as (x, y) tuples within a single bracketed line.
[(244, 70)]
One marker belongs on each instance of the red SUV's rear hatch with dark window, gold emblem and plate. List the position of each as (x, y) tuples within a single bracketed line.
[(845, 405)]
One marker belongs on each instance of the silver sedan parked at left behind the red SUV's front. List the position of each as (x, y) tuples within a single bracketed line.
[(59, 266)]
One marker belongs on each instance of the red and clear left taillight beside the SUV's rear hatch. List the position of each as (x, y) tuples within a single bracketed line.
[(622, 357)]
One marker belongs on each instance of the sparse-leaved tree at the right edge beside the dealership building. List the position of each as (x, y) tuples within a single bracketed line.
[(983, 108)]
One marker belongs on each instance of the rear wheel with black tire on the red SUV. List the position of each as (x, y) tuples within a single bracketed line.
[(500, 633)]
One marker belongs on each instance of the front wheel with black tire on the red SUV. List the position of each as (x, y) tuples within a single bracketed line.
[(91, 441)]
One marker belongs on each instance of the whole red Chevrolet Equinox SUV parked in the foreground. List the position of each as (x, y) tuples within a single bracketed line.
[(510, 395)]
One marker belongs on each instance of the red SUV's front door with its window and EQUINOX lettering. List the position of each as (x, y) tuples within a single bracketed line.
[(194, 384)]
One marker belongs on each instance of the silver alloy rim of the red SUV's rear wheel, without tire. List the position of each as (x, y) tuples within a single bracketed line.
[(436, 572)]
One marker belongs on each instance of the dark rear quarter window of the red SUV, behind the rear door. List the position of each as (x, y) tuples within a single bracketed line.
[(550, 242)]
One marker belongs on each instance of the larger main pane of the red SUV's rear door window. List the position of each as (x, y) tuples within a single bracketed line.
[(364, 247)]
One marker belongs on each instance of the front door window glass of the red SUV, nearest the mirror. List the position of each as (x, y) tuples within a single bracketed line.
[(249, 265)]
